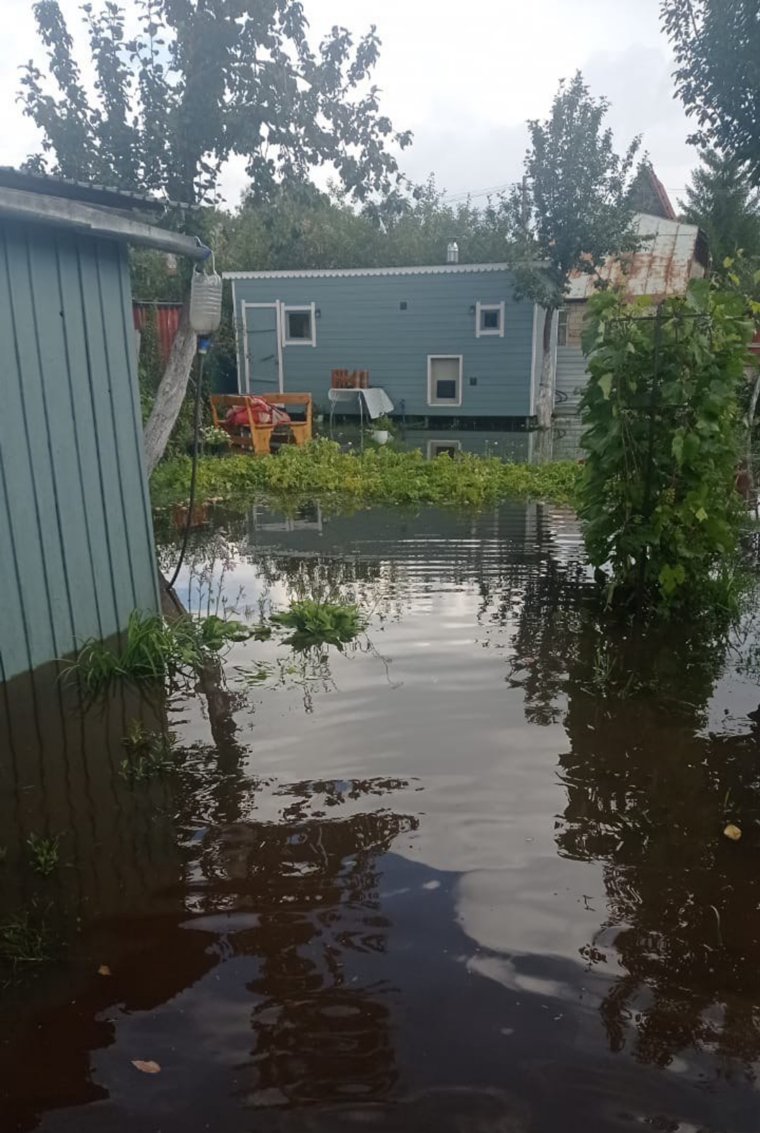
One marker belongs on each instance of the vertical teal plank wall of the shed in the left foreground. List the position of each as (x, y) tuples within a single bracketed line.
[(76, 538)]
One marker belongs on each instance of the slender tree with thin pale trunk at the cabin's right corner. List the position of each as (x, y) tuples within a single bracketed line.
[(574, 211)]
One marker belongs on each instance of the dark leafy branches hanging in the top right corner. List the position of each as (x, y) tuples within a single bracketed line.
[(718, 78)]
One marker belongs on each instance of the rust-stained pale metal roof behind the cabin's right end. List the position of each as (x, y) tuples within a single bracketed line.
[(670, 258)]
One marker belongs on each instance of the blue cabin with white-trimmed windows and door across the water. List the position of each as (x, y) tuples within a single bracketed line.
[(443, 342)]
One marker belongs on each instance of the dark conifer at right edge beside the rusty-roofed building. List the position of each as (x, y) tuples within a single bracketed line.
[(722, 201)]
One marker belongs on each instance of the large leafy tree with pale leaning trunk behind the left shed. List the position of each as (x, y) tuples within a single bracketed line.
[(199, 83)]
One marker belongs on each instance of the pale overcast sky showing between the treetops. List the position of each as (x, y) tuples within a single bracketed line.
[(465, 79)]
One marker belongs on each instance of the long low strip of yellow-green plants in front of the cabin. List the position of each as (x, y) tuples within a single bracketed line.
[(380, 475)]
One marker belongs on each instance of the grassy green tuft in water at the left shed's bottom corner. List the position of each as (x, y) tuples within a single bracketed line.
[(155, 651)]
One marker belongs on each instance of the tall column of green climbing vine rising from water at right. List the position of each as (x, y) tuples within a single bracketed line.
[(661, 418)]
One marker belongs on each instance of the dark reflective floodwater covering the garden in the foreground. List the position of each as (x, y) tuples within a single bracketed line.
[(468, 874)]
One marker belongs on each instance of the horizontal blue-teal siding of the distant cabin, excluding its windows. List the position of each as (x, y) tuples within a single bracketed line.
[(362, 327)]
